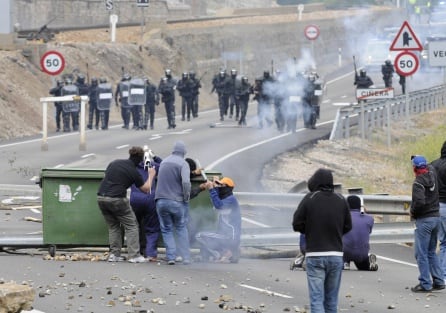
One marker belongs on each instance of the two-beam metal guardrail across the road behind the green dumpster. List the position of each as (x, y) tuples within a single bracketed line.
[(385, 232)]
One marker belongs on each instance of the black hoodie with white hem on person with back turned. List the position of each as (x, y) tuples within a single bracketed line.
[(323, 216)]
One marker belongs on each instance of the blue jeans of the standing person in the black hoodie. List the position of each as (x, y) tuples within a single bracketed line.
[(324, 279)]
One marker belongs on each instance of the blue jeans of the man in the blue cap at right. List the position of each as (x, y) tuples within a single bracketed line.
[(426, 234)]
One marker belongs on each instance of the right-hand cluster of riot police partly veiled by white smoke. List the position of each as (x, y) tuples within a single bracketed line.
[(291, 96)]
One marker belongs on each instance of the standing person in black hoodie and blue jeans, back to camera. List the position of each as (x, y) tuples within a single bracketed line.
[(324, 217)]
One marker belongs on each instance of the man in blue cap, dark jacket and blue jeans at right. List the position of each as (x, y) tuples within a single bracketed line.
[(425, 211)]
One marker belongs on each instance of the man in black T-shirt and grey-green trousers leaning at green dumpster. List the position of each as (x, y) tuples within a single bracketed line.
[(114, 205)]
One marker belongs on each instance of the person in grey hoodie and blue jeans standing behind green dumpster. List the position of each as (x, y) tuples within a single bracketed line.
[(172, 204)]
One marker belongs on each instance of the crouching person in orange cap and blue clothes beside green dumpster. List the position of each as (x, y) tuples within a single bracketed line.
[(224, 244)]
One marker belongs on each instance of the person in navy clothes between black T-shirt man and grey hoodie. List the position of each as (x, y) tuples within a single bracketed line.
[(143, 204)]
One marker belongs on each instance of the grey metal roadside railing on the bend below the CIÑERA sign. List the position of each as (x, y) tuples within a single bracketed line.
[(362, 118)]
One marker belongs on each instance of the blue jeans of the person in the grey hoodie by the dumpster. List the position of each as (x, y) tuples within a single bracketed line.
[(172, 215)]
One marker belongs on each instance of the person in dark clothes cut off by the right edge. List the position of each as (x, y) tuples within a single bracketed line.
[(440, 168)]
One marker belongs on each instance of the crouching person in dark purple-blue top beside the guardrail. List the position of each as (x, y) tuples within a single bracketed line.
[(356, 245)]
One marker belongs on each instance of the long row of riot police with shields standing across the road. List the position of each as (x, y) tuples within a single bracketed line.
[(290, 96)]
